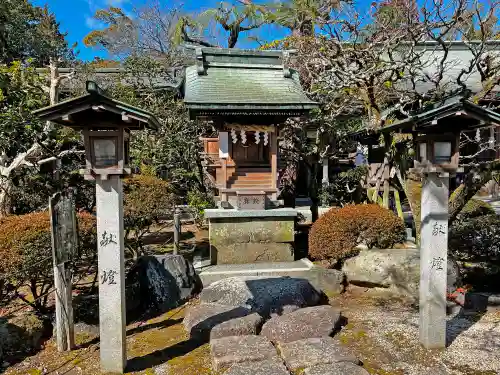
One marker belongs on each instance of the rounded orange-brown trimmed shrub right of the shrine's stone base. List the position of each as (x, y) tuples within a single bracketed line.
[(336, 234)]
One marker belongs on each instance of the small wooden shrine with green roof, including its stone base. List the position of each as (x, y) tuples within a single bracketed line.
[(246, 95)]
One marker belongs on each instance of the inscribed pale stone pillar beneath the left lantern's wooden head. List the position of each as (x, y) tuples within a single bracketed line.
[(110, 243)]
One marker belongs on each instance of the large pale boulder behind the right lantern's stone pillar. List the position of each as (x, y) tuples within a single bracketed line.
[(398, 269)]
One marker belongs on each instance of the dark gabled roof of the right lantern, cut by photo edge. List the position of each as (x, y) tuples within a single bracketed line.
[(451, 115)]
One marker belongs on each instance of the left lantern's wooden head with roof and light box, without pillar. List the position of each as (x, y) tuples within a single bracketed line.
[(105, 124)]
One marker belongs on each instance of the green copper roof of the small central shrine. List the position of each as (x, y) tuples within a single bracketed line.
[(243, 82)]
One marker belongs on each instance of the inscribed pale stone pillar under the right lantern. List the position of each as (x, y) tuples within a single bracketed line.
[(433, 261)]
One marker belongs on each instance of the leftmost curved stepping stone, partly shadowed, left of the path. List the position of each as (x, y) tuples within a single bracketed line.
[(201, 319)]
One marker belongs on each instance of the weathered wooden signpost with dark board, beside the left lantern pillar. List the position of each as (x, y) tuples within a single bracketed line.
[(64, 245)]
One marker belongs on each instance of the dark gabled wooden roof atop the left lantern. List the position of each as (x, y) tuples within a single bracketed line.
[(98, 109)]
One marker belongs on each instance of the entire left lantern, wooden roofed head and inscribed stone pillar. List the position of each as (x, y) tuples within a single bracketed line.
[(106, 124)]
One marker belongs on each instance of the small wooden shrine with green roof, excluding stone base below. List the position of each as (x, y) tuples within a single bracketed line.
[(245, 94)]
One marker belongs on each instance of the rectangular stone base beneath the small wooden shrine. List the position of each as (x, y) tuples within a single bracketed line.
[(251, 236)]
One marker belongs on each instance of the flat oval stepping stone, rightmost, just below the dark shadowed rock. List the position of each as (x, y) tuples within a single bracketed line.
[(316, 321)]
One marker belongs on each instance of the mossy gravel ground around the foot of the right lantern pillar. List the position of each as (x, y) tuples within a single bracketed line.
[(386, 338)]
